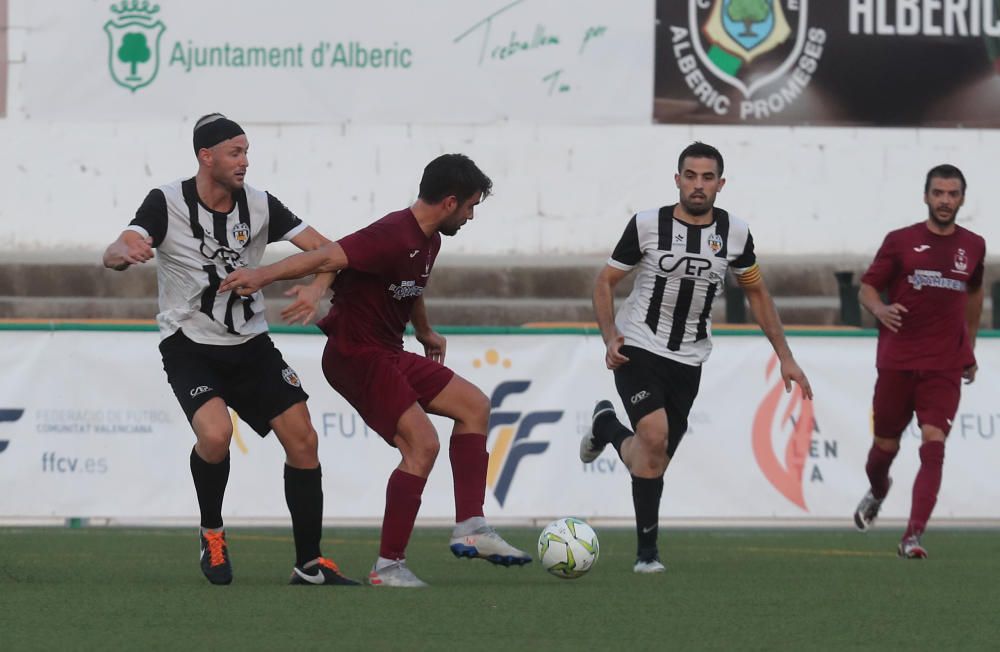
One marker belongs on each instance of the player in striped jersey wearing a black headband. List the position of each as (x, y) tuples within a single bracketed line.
[(215, 347)]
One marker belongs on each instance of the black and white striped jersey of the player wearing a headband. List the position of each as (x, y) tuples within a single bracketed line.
[(198, 247)]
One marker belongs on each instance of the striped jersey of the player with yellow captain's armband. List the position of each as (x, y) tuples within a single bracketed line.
[(682, 268)]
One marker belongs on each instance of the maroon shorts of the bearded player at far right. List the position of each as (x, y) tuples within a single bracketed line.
[(933, 395)]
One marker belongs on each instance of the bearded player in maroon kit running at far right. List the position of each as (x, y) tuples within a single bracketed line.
[(933, 274)]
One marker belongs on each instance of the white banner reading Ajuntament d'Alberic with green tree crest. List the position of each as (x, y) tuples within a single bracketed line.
[(373, 61)]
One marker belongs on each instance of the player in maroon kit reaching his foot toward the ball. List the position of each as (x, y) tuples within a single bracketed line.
[(383, 270)]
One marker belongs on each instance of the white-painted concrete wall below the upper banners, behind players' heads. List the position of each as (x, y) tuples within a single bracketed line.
[(69, 188)]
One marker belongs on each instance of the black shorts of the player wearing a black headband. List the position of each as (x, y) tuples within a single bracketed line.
[(252, 378)]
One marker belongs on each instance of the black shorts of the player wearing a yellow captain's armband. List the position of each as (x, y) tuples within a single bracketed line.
[(649, 382)]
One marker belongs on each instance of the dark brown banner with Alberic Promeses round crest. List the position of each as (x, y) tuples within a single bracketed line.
[(828, 62)]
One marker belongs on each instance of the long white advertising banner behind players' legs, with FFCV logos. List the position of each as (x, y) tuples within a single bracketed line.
[(89, 428)]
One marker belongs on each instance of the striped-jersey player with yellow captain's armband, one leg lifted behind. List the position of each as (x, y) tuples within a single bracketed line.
[(662, 334)]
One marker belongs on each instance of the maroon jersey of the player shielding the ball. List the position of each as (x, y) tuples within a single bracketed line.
[(388, 265)]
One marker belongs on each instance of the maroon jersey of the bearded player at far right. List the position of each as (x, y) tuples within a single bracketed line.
[(931, 276)]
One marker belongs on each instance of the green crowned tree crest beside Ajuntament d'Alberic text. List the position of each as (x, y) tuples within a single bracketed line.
[(134, 43)]
